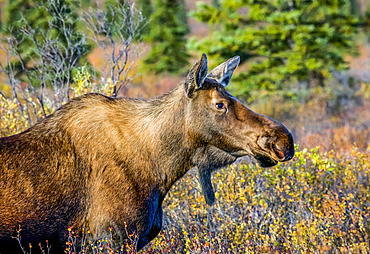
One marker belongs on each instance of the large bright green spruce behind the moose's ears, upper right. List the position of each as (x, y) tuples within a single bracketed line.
[(282, 40)]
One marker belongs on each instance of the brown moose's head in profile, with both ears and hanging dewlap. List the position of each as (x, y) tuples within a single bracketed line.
[(227, 127)]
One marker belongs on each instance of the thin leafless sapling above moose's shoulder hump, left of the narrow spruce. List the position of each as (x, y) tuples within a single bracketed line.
[(114, 30)]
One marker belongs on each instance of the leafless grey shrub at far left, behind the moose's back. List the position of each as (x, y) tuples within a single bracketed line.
[(55, 52)]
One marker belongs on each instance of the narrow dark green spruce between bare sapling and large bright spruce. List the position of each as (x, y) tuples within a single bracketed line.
[(167, 37)]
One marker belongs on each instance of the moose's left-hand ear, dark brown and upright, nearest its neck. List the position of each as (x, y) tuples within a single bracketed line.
[(196, 76)]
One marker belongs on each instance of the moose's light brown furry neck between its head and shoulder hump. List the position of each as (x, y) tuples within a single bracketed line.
[(160, 125)]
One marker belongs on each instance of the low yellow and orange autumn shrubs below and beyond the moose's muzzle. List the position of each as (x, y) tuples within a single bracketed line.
[(318, 203)]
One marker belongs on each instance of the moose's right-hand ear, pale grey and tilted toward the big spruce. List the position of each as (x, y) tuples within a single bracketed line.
[(223, 73)]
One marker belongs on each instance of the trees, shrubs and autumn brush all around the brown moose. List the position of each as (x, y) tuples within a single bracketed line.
[(304, 63)]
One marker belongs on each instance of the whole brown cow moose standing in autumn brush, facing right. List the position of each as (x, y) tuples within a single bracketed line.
[(100, 162)]
